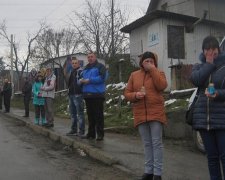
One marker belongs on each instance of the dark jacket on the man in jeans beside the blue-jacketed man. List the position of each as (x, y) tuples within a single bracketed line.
[(73, 85)]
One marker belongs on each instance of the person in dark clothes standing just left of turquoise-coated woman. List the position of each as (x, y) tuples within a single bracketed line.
[(27, 92)]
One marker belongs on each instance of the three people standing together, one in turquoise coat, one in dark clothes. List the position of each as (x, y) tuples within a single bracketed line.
[(43, 90)]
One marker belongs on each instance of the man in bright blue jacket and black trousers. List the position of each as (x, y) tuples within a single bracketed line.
[(94, 76)]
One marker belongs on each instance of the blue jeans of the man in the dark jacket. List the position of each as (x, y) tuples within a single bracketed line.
[(76, 104)]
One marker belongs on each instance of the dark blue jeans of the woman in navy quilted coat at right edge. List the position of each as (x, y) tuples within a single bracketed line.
[(214, 142)]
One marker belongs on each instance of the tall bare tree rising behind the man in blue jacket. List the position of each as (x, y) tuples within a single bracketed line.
[(95, 28)]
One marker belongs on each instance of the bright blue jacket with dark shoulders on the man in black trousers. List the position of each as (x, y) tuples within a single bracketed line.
[(96, 73)]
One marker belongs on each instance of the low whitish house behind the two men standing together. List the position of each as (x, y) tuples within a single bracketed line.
[(62, 67)]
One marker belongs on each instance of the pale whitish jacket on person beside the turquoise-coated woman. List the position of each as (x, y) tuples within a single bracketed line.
[(49, 86)]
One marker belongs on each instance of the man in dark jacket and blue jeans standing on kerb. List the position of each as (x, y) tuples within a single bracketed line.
[(76, 102)]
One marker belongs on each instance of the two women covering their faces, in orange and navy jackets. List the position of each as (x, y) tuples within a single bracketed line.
[(144, 89)]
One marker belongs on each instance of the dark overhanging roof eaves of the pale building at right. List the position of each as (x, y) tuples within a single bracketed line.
[(188, 20)]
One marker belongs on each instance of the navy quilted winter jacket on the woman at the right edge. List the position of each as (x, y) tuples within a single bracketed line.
[(209, 113)]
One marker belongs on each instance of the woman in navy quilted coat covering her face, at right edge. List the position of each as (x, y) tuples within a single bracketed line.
[(209, 111)]
